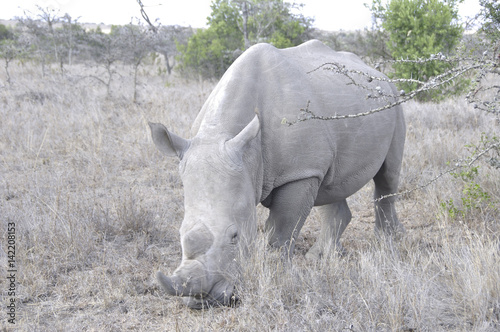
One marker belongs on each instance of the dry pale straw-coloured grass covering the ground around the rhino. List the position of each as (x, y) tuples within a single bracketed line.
[(97, 211)]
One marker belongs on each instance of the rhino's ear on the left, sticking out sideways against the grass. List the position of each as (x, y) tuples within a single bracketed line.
[(168, 143)]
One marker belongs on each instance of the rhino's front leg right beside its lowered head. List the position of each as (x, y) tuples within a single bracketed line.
[(289, 207)]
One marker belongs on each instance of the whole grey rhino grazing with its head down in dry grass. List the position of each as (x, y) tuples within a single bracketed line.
[(238, 159)]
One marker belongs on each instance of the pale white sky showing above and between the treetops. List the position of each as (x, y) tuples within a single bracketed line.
[(331, 15)]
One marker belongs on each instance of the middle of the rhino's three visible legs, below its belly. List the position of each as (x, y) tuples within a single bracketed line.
[(334, 219)]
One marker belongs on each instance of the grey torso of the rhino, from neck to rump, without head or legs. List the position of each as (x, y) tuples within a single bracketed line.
[(276, 84)]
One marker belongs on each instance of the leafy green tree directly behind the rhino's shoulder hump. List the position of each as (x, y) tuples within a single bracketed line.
[(235, 25)]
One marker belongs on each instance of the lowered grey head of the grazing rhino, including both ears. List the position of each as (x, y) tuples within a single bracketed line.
[(220, 194)]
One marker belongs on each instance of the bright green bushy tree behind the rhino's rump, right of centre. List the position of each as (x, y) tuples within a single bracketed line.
[(419, 29)]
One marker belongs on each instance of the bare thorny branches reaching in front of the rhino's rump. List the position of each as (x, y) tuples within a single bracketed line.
[(480, 67)]
